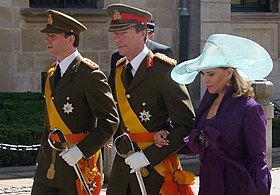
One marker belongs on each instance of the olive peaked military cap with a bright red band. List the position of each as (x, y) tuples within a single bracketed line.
[(125, 16)]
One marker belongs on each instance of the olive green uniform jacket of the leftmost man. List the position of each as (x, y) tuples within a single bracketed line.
[(85, 87)]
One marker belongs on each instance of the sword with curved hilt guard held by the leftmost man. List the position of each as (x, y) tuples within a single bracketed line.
[(76, 167)]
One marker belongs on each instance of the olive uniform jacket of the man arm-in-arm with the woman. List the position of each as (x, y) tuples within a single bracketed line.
[(152, 90)]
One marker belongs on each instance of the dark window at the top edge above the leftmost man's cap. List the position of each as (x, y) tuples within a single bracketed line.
[(63, 3)]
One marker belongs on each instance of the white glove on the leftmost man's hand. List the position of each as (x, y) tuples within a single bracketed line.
[(72, 155)]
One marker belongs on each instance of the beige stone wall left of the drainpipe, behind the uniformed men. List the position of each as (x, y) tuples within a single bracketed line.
[(23, 55)]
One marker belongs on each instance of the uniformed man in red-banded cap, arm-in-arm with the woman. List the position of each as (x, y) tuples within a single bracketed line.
[(148, 100)]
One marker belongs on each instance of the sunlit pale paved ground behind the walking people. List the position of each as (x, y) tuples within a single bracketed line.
[(18, 180)]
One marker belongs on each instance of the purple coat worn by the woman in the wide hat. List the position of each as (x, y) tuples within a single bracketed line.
[(232, 147)]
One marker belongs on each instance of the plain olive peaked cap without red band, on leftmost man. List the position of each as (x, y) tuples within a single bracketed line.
[(59, 22)]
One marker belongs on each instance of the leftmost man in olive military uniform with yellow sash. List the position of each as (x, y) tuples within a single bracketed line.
[(80, 104)]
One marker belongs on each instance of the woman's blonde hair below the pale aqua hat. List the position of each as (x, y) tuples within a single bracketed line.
[(241, 85)]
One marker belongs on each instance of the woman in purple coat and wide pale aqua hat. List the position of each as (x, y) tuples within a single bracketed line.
[(229, 132)]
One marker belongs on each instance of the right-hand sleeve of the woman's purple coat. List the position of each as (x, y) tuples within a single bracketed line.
[(255, 141)]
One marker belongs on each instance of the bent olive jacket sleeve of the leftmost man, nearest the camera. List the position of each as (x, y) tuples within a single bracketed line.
[(103, 108)]
